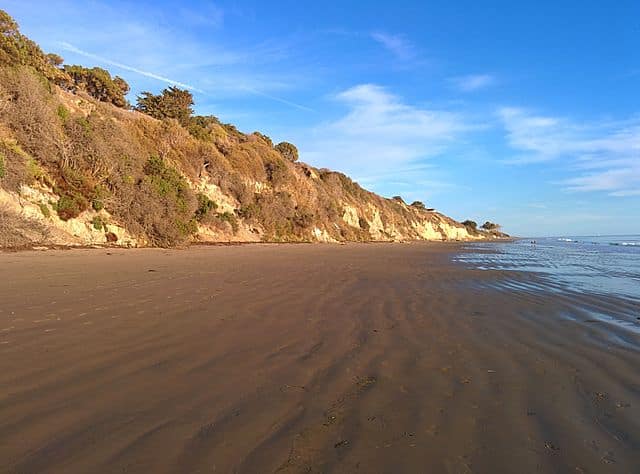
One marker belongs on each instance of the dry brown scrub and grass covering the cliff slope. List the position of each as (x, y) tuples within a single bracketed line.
[(94, 155)]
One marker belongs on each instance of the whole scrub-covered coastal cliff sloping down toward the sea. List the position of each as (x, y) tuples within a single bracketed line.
[(80, 166)]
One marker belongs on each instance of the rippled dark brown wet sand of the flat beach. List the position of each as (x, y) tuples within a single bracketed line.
[(371, 358)]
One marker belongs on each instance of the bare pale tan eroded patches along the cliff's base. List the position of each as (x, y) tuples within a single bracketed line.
[(31, 212)]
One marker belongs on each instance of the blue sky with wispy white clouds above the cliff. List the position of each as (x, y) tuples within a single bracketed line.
[(524, 113)]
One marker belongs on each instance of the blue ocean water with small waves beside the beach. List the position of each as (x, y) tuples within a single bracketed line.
[(602, 265)]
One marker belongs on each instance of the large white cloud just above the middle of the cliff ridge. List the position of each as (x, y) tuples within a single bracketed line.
[(380, 135)]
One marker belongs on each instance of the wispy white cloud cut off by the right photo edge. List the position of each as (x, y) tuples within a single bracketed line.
[(605, 155)]
